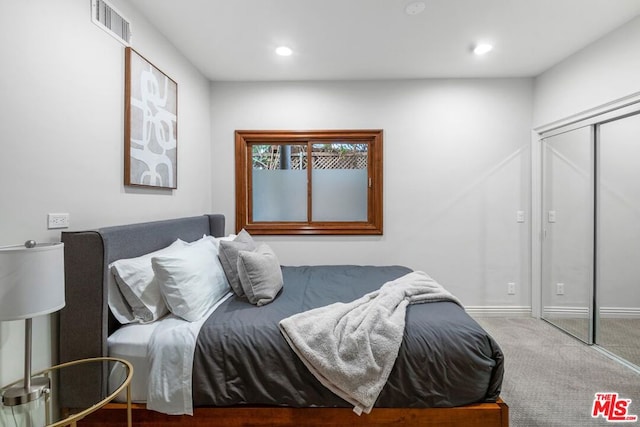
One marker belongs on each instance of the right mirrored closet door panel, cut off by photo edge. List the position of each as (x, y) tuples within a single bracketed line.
[(618, 237)]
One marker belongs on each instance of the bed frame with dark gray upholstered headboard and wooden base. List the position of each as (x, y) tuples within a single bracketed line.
[(85, 324)]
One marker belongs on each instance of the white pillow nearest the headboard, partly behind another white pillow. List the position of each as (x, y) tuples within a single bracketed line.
[(136, 281)]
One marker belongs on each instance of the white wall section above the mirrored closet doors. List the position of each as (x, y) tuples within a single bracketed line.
[(601, 73)]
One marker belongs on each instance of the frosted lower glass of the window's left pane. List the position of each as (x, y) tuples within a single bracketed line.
[(279, 195)]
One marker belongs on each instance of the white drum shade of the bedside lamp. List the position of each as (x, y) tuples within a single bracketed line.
[(31, 280)]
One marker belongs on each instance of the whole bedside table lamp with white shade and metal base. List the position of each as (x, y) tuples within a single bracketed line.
[(31, 284)]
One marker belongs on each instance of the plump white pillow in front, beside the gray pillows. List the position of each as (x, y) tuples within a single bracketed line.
[(191, 280)]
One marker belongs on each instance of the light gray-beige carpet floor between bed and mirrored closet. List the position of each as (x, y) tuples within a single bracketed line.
[(551, 378)]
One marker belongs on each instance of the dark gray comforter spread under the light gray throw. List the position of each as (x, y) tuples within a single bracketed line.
[(446, 359)]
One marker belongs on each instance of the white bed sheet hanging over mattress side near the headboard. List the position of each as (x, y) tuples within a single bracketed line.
[(162, 357)]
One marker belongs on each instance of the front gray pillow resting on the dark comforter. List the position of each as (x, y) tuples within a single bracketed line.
[(260, 274)]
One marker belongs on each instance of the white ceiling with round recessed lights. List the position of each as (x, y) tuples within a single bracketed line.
[(234, 40)]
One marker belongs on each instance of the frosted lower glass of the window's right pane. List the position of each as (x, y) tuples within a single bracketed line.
[(339, 194)]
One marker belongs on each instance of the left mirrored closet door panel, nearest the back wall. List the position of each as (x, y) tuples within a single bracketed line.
[(568, 188)]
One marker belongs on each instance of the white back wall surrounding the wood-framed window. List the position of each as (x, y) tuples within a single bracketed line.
[(456, 170)]
